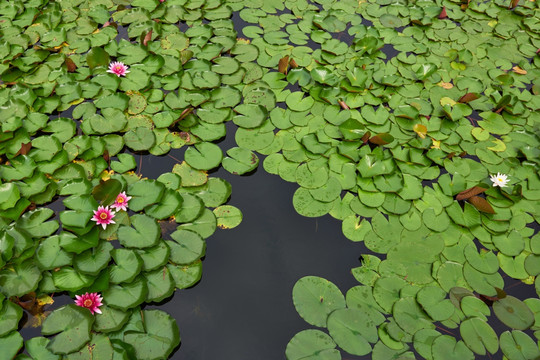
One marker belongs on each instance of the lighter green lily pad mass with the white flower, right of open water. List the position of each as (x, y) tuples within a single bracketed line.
[(401, 150)]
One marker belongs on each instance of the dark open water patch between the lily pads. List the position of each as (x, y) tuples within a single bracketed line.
[(242, 308)]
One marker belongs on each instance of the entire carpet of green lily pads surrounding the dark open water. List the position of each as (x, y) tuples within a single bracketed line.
[(400, 150)]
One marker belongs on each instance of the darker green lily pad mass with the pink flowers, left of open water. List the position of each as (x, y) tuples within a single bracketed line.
[(62, 58)]
